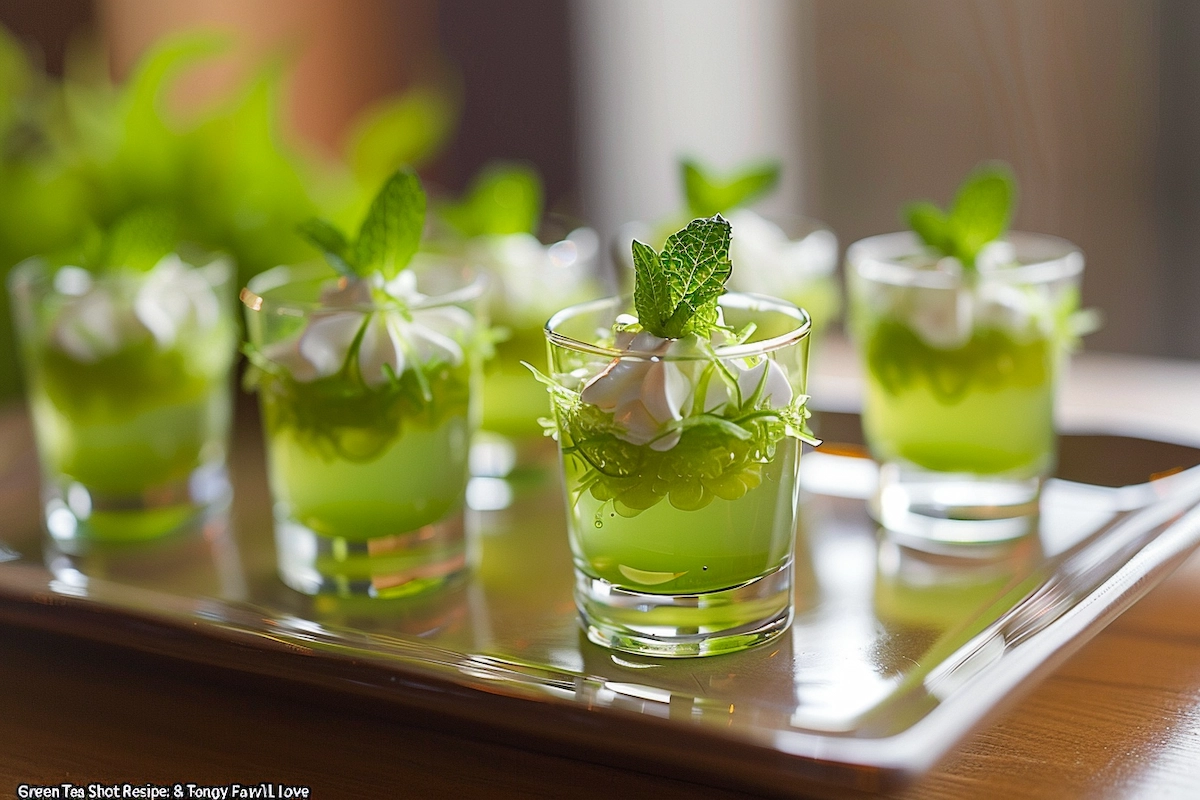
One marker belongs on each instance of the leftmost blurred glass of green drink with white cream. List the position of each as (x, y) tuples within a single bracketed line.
[(130, 392)]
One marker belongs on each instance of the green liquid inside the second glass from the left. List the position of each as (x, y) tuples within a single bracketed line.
[(358, 464)]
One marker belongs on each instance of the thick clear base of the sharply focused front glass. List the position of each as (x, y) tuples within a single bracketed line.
[(677, 627)]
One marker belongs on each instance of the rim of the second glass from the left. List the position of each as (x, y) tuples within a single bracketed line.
[(255, 294)]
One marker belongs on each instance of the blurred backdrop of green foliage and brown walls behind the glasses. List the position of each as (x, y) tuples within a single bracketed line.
[(250, 117)]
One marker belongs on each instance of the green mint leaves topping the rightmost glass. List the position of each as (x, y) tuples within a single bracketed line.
[(980, 215)]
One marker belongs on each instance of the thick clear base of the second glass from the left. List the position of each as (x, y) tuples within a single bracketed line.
[(386, 567)]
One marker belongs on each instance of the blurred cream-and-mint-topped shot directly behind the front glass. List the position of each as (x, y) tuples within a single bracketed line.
[(779, 256)]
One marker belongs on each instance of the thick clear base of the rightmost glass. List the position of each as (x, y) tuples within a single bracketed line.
[(955, 509)]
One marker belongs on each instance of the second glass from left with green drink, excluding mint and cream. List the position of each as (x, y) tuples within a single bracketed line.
[(368, 477)]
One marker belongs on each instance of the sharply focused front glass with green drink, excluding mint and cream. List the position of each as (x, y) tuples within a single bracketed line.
[(688, 550)]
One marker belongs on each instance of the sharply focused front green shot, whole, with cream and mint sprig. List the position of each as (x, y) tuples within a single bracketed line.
[(680, 416)]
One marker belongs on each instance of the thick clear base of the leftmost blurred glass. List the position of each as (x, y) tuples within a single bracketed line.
[(77, 516)]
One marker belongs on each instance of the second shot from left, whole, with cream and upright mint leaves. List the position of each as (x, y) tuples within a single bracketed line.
[(367, 372)]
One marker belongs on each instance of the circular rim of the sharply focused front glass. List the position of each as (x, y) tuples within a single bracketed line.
[(752, 302)]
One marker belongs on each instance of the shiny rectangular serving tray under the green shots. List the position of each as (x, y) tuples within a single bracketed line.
[(893, 658)]
